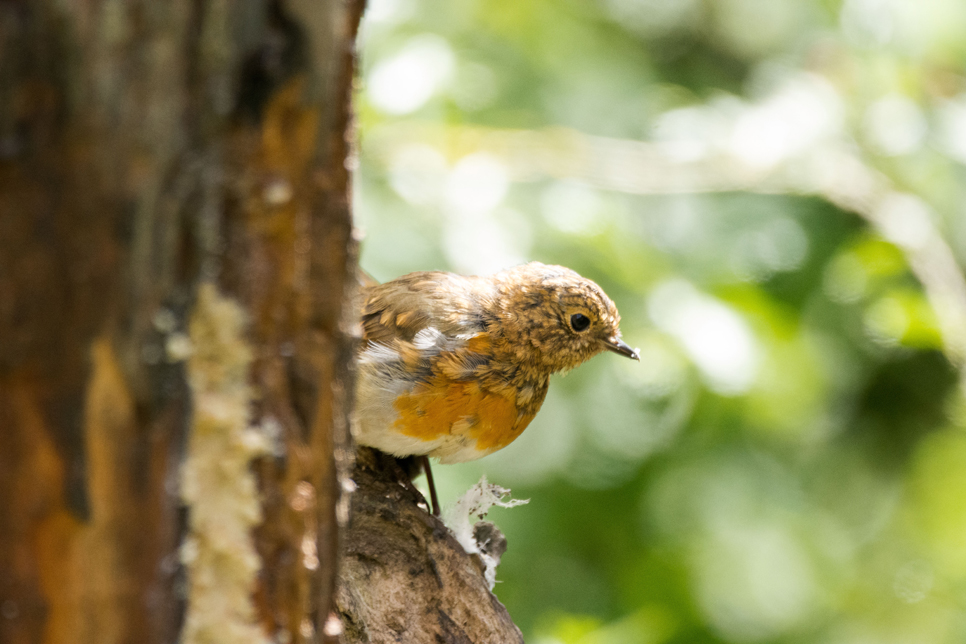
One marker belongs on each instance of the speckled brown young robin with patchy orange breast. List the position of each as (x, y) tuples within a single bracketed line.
[(456, 367)]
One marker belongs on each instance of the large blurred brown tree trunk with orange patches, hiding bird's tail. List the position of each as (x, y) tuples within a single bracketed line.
[(175, 254)]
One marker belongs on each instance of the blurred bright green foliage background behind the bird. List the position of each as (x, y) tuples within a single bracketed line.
[(788, 461)]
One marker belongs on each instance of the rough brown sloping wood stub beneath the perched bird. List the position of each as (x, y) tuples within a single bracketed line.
[(404, 577)]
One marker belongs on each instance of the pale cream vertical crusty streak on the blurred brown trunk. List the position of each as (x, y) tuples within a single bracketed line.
[(217, 485)]
